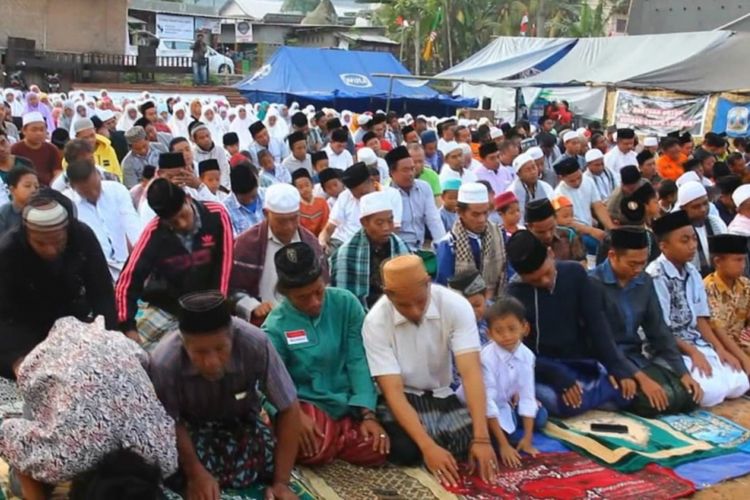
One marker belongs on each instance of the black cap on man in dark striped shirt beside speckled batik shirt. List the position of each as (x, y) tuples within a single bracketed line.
[(203, 312)]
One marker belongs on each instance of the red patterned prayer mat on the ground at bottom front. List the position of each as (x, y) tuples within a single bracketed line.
[(568, 476)]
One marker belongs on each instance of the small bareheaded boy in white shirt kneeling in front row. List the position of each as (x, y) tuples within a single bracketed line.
[(508, 372)]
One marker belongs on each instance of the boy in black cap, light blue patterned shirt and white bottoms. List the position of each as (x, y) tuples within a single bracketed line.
[(684, 304)]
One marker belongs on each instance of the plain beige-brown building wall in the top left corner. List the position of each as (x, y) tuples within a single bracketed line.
[(66, 25)]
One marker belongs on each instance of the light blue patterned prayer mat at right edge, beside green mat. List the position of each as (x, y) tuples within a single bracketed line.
[(714, 429)]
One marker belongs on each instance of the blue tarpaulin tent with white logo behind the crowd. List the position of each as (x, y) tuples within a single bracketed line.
[(342, 79)]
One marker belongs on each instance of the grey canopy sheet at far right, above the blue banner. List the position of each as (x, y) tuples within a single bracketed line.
[(716, 70)]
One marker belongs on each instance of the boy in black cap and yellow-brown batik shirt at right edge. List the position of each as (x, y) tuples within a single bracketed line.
[(728, 291)]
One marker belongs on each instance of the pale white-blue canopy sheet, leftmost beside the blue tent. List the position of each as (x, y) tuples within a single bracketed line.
[(508, 56)]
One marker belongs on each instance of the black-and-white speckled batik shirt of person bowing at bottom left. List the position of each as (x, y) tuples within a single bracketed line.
[(87, 394)]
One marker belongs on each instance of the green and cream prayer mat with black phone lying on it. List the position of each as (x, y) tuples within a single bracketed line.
[(646, 441)]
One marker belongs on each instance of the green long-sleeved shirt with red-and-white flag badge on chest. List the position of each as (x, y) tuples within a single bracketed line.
[(325, 355)]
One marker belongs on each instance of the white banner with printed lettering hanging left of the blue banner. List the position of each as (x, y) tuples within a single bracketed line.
[(660, 115)]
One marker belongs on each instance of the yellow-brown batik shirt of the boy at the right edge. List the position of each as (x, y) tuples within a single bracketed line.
[(730, 308)]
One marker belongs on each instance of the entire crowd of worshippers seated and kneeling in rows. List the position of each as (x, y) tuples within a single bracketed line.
[(294, 286)]
